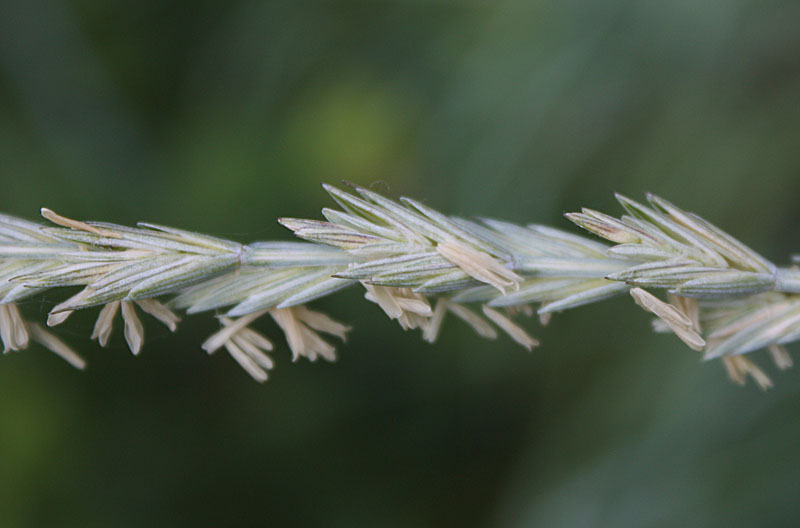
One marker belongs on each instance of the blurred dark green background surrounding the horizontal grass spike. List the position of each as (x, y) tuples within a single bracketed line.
[(221, 116)]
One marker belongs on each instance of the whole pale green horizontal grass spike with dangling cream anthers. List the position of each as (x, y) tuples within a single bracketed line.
[(417, 265)]
